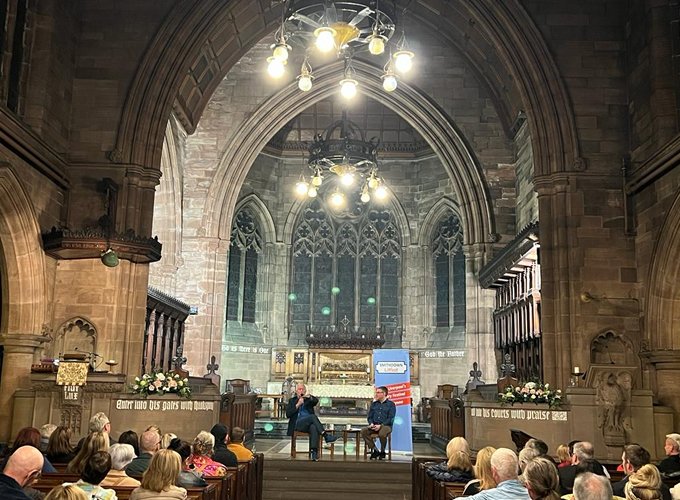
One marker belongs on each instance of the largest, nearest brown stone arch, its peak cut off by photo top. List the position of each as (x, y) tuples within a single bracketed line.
[(205, 34)]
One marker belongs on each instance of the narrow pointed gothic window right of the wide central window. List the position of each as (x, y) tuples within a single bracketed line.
[(449, 265)]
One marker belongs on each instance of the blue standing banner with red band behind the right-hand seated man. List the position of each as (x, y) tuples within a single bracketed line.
[(392, 370)]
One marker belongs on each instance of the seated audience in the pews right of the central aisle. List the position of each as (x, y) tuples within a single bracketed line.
[(534, 474)]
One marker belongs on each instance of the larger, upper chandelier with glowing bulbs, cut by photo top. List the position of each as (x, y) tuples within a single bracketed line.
[(345, 28)]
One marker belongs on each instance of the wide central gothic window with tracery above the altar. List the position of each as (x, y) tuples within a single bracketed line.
[(346, 267)]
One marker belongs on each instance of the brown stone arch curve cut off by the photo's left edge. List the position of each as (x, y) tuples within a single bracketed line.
[(23, 261)]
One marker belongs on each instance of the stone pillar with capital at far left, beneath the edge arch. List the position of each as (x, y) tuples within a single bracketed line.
[(19, 354)]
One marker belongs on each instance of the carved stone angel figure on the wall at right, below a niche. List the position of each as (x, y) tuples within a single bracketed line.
[(613, 405)]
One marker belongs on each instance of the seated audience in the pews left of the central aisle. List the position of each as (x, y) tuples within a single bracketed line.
[(164, 467)]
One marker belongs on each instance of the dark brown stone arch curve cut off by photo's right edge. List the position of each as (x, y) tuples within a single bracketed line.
[(663, 300)]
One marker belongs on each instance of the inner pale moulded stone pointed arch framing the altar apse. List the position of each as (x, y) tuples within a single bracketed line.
[(410, 103)]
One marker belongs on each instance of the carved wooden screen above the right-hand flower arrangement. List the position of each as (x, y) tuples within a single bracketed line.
[(517, 324)]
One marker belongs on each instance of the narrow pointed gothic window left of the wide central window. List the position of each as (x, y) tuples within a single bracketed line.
[(244, 251)]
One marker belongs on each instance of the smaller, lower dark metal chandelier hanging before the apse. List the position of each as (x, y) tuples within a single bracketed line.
[(342, 153)]
